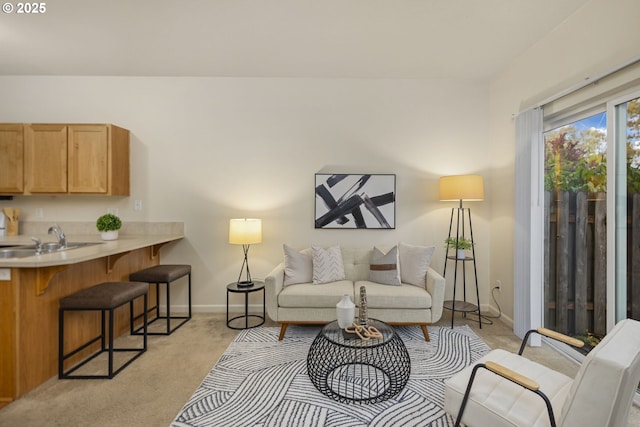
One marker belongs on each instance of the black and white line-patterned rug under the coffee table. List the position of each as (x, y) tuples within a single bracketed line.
[(260, 381)]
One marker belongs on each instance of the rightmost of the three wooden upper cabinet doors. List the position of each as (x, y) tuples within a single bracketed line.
[(88, 159)]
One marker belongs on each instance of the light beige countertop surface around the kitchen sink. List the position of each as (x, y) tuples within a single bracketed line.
[(125, 243)]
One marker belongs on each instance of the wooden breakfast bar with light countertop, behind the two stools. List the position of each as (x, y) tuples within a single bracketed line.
[(32, 286)]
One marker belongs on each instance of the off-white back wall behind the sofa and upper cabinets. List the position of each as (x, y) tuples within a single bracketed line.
[(205, 150)]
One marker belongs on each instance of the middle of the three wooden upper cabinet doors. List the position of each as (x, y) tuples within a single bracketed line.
[(45, 158)]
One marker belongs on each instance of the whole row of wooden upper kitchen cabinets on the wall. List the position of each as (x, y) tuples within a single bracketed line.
[(64, 159)]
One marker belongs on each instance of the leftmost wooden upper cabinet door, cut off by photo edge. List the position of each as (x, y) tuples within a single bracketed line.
[(11, 158)]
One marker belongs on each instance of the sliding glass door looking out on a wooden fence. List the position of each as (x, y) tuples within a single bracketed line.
[(592, 221)]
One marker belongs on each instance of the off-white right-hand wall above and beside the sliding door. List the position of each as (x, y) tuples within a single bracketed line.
[(600, 36)]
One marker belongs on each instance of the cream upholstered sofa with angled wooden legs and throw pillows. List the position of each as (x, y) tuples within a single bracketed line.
[(419, 303)]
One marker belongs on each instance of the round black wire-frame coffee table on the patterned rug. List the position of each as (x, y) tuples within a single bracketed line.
[(354, 370)]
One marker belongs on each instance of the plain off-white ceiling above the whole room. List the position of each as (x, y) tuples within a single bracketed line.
[(466, 39)]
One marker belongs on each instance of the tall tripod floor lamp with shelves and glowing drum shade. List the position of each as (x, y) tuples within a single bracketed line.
[(462, 188)]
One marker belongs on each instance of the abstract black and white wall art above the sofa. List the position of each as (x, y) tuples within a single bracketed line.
[(355, 201)]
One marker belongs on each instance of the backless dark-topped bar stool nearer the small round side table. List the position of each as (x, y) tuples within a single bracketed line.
[(165, 274)]
